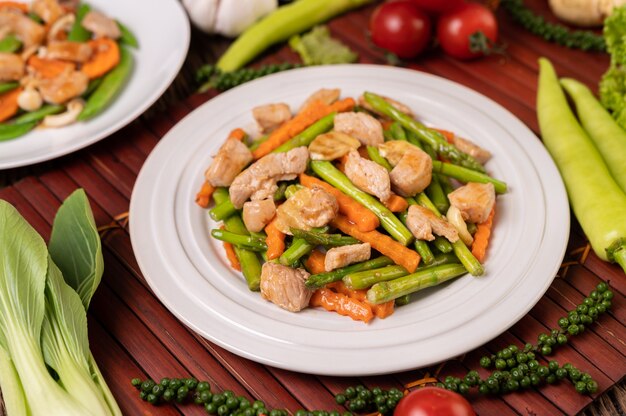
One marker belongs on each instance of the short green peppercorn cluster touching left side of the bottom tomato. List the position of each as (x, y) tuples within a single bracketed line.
[(359, 399)]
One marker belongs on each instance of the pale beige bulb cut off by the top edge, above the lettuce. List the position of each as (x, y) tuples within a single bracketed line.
[(584, 12)]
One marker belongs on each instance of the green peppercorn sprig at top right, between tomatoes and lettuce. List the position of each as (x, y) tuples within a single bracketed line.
[(559, 34)]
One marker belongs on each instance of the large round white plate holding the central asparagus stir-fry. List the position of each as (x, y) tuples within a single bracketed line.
[(188, 271)]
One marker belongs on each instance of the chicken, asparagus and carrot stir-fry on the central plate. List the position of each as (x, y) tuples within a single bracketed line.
[(349, 205)]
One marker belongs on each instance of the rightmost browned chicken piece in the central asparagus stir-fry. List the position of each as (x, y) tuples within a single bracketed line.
[(474, 200)]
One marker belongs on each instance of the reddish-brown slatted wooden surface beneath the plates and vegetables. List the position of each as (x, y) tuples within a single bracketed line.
[(133, 335)]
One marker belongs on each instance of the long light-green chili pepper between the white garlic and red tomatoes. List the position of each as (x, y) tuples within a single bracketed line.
[(279, 26)]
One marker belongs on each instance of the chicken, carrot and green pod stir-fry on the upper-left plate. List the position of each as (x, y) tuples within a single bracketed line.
[(60, 62)]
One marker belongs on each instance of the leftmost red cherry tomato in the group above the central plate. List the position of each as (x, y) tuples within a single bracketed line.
[(400, 27)]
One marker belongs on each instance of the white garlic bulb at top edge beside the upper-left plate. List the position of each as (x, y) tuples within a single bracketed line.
[(227, 17)]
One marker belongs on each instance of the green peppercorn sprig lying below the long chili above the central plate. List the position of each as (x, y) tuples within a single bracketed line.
[(210, 76)]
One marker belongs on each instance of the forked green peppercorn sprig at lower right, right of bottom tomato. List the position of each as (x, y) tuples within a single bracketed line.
[(516, 369)]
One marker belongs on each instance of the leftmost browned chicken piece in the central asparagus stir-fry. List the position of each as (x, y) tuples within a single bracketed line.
[(232, 157)]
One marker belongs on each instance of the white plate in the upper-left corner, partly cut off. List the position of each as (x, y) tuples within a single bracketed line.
[(162, 29)]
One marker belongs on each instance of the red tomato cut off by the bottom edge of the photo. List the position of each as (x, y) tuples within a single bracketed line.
[(433, 401)]
